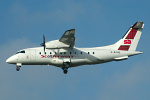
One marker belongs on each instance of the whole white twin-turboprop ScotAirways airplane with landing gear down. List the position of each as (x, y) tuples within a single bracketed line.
[(62, 53)]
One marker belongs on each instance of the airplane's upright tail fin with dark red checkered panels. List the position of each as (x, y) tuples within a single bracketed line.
[(130, 40)]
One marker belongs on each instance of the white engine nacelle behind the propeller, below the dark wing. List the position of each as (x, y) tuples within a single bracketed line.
[(55, 44)]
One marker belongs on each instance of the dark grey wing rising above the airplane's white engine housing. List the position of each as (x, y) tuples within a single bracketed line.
[(68, 38)]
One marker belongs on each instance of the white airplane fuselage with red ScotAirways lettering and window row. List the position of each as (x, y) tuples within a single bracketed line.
[(75, 56)]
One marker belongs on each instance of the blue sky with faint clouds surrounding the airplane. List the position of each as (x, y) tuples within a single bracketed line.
[(97, 23)]
